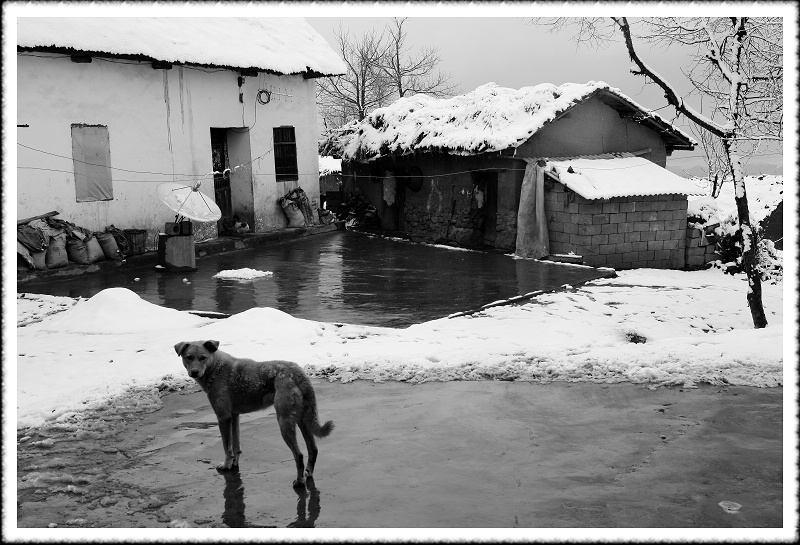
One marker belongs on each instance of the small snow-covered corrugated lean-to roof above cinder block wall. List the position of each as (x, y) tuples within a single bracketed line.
[(618, 175)]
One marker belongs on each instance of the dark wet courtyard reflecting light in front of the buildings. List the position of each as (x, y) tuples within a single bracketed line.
[(336, 277)]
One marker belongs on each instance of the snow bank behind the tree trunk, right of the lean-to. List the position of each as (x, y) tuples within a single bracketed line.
[(764, 193)]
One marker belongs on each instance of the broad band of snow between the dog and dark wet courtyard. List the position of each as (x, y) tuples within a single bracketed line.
[(646, 326)]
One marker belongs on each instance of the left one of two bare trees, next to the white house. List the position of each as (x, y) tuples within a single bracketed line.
[(364, 86)]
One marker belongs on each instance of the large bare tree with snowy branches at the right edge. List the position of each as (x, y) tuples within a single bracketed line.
[(736, 66)]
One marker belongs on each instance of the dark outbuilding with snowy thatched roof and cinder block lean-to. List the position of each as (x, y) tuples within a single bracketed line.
[(574, 170)]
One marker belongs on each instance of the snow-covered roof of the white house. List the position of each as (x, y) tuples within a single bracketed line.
[(281, 45)]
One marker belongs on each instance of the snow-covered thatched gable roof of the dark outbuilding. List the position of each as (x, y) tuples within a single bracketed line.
[(490, 118)]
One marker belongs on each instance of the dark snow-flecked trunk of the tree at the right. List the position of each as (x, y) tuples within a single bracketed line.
[(748, 238)]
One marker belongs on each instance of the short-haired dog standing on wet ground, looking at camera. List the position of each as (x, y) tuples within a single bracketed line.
[(238, 385)]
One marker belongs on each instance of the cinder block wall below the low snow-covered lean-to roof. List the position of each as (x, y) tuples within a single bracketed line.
[(622, 232)]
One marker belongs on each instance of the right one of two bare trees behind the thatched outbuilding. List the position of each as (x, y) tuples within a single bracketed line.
[(409, 74)]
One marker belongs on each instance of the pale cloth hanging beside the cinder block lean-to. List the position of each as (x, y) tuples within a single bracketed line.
[(532, 237)]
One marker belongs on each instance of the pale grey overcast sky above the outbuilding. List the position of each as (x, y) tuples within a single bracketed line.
[(513, 52)]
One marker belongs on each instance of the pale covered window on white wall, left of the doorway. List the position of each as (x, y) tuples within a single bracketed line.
[(91, 160)]
